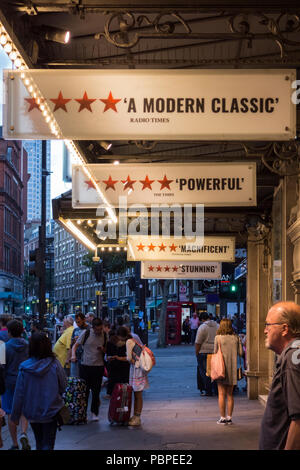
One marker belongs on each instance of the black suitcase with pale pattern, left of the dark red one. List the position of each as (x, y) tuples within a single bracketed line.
[(75, 400)]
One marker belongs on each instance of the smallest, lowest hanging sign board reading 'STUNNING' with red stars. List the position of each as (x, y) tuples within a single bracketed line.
[(180, 270)]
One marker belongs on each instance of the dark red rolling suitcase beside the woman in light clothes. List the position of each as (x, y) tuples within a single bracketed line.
[(120, 404)]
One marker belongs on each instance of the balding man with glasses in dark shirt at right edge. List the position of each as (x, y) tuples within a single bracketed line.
[(280, 428)]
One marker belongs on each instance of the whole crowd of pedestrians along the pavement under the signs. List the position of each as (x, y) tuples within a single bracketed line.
[(36, 373)]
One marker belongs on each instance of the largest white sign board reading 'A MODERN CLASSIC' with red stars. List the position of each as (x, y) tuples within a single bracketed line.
[(151, 104)]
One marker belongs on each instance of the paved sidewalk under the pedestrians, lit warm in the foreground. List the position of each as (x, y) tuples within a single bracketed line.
[(175, 416)]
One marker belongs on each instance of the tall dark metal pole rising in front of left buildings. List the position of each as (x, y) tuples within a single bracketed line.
[(42, 239)]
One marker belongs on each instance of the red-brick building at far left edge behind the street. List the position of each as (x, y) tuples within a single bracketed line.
[(13, 211)]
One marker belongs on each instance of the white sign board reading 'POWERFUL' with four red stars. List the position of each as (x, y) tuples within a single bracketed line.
[(221, 184)]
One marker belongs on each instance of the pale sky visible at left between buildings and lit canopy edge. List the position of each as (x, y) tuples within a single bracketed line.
[(58, 186)]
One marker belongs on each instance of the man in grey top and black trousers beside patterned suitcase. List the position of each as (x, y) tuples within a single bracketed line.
[(91, 368)]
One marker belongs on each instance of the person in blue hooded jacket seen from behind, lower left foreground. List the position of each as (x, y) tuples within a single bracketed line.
[(38, 394)]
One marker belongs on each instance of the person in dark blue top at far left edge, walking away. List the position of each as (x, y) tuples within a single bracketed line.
[(16, 351)]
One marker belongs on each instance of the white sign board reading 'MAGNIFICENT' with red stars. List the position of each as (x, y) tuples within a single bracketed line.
[(174, 249)]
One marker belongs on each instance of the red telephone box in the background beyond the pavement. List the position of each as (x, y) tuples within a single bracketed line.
[(176, 313)]
